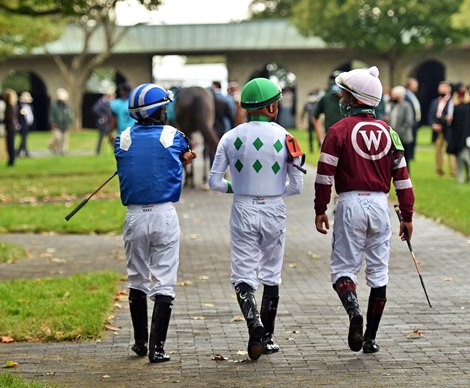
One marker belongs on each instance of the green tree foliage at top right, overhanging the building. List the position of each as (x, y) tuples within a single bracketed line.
[(390, 27)]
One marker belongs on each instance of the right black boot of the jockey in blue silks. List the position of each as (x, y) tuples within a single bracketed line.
[(160, 322)]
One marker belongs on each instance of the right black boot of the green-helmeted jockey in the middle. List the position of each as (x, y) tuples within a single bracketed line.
[(268, 316)]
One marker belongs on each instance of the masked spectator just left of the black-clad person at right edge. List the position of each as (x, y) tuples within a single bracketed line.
[(441, 111)]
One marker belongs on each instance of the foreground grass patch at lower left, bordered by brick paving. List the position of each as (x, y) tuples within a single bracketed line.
[(59, 309)]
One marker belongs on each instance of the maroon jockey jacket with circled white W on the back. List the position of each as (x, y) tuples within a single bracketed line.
[(358, 154)]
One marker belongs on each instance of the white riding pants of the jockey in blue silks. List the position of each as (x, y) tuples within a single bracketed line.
[(151, 241)]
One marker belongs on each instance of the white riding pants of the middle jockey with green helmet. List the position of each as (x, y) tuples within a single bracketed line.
[(258, 230)]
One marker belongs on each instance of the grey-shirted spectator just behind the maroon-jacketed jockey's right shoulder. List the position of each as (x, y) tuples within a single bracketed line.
[(401, 120)]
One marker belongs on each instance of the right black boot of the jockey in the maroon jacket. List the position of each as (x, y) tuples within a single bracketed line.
[(375, 310)]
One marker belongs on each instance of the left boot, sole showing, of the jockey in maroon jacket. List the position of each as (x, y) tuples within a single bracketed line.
[(346, 290)]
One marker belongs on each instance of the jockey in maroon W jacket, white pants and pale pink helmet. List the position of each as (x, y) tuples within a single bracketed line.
[(362, 155)]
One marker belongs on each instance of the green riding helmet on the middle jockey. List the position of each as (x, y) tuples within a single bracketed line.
[(259, 93)]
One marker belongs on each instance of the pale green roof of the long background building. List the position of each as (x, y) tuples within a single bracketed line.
[(269, 34)]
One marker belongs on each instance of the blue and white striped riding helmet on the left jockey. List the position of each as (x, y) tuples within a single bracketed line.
[(145, 99)]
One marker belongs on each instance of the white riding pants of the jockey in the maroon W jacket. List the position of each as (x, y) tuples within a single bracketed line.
[(361, 231)]
